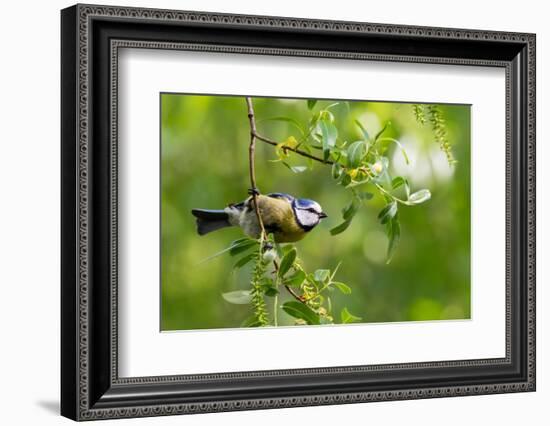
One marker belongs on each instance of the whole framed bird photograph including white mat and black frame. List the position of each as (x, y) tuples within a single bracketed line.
[(263, 212)]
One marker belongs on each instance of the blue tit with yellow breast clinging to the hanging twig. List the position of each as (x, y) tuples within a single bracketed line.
[(289, 219)]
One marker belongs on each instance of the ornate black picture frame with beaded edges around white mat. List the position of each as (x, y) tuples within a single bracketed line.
[(91, 37)]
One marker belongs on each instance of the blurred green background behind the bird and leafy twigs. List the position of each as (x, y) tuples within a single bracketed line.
[(205, 165)]
